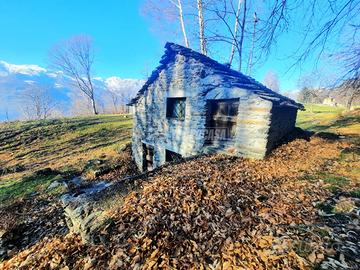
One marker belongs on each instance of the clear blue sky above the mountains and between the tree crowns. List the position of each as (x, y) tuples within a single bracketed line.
[(124, 43)]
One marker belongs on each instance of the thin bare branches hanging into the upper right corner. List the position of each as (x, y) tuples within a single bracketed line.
[(337, 21)]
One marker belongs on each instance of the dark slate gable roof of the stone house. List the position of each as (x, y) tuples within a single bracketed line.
[(233, 77)]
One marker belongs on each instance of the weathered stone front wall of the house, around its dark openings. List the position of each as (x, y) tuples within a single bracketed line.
[(187, 77)]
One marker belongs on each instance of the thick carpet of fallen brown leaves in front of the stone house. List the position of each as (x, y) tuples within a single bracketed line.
[(214, 212)]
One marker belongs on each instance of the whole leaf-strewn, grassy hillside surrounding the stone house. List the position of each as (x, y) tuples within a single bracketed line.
[(297, 209)]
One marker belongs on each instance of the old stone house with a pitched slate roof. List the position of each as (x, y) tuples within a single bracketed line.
[(193, 105)]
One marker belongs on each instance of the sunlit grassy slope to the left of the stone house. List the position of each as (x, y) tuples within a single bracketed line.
[(64, 145)]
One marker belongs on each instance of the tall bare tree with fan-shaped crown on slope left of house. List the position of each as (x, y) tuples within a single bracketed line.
[(75, 58)]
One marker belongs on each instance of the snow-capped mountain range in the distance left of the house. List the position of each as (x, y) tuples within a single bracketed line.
[(15, 80)]
